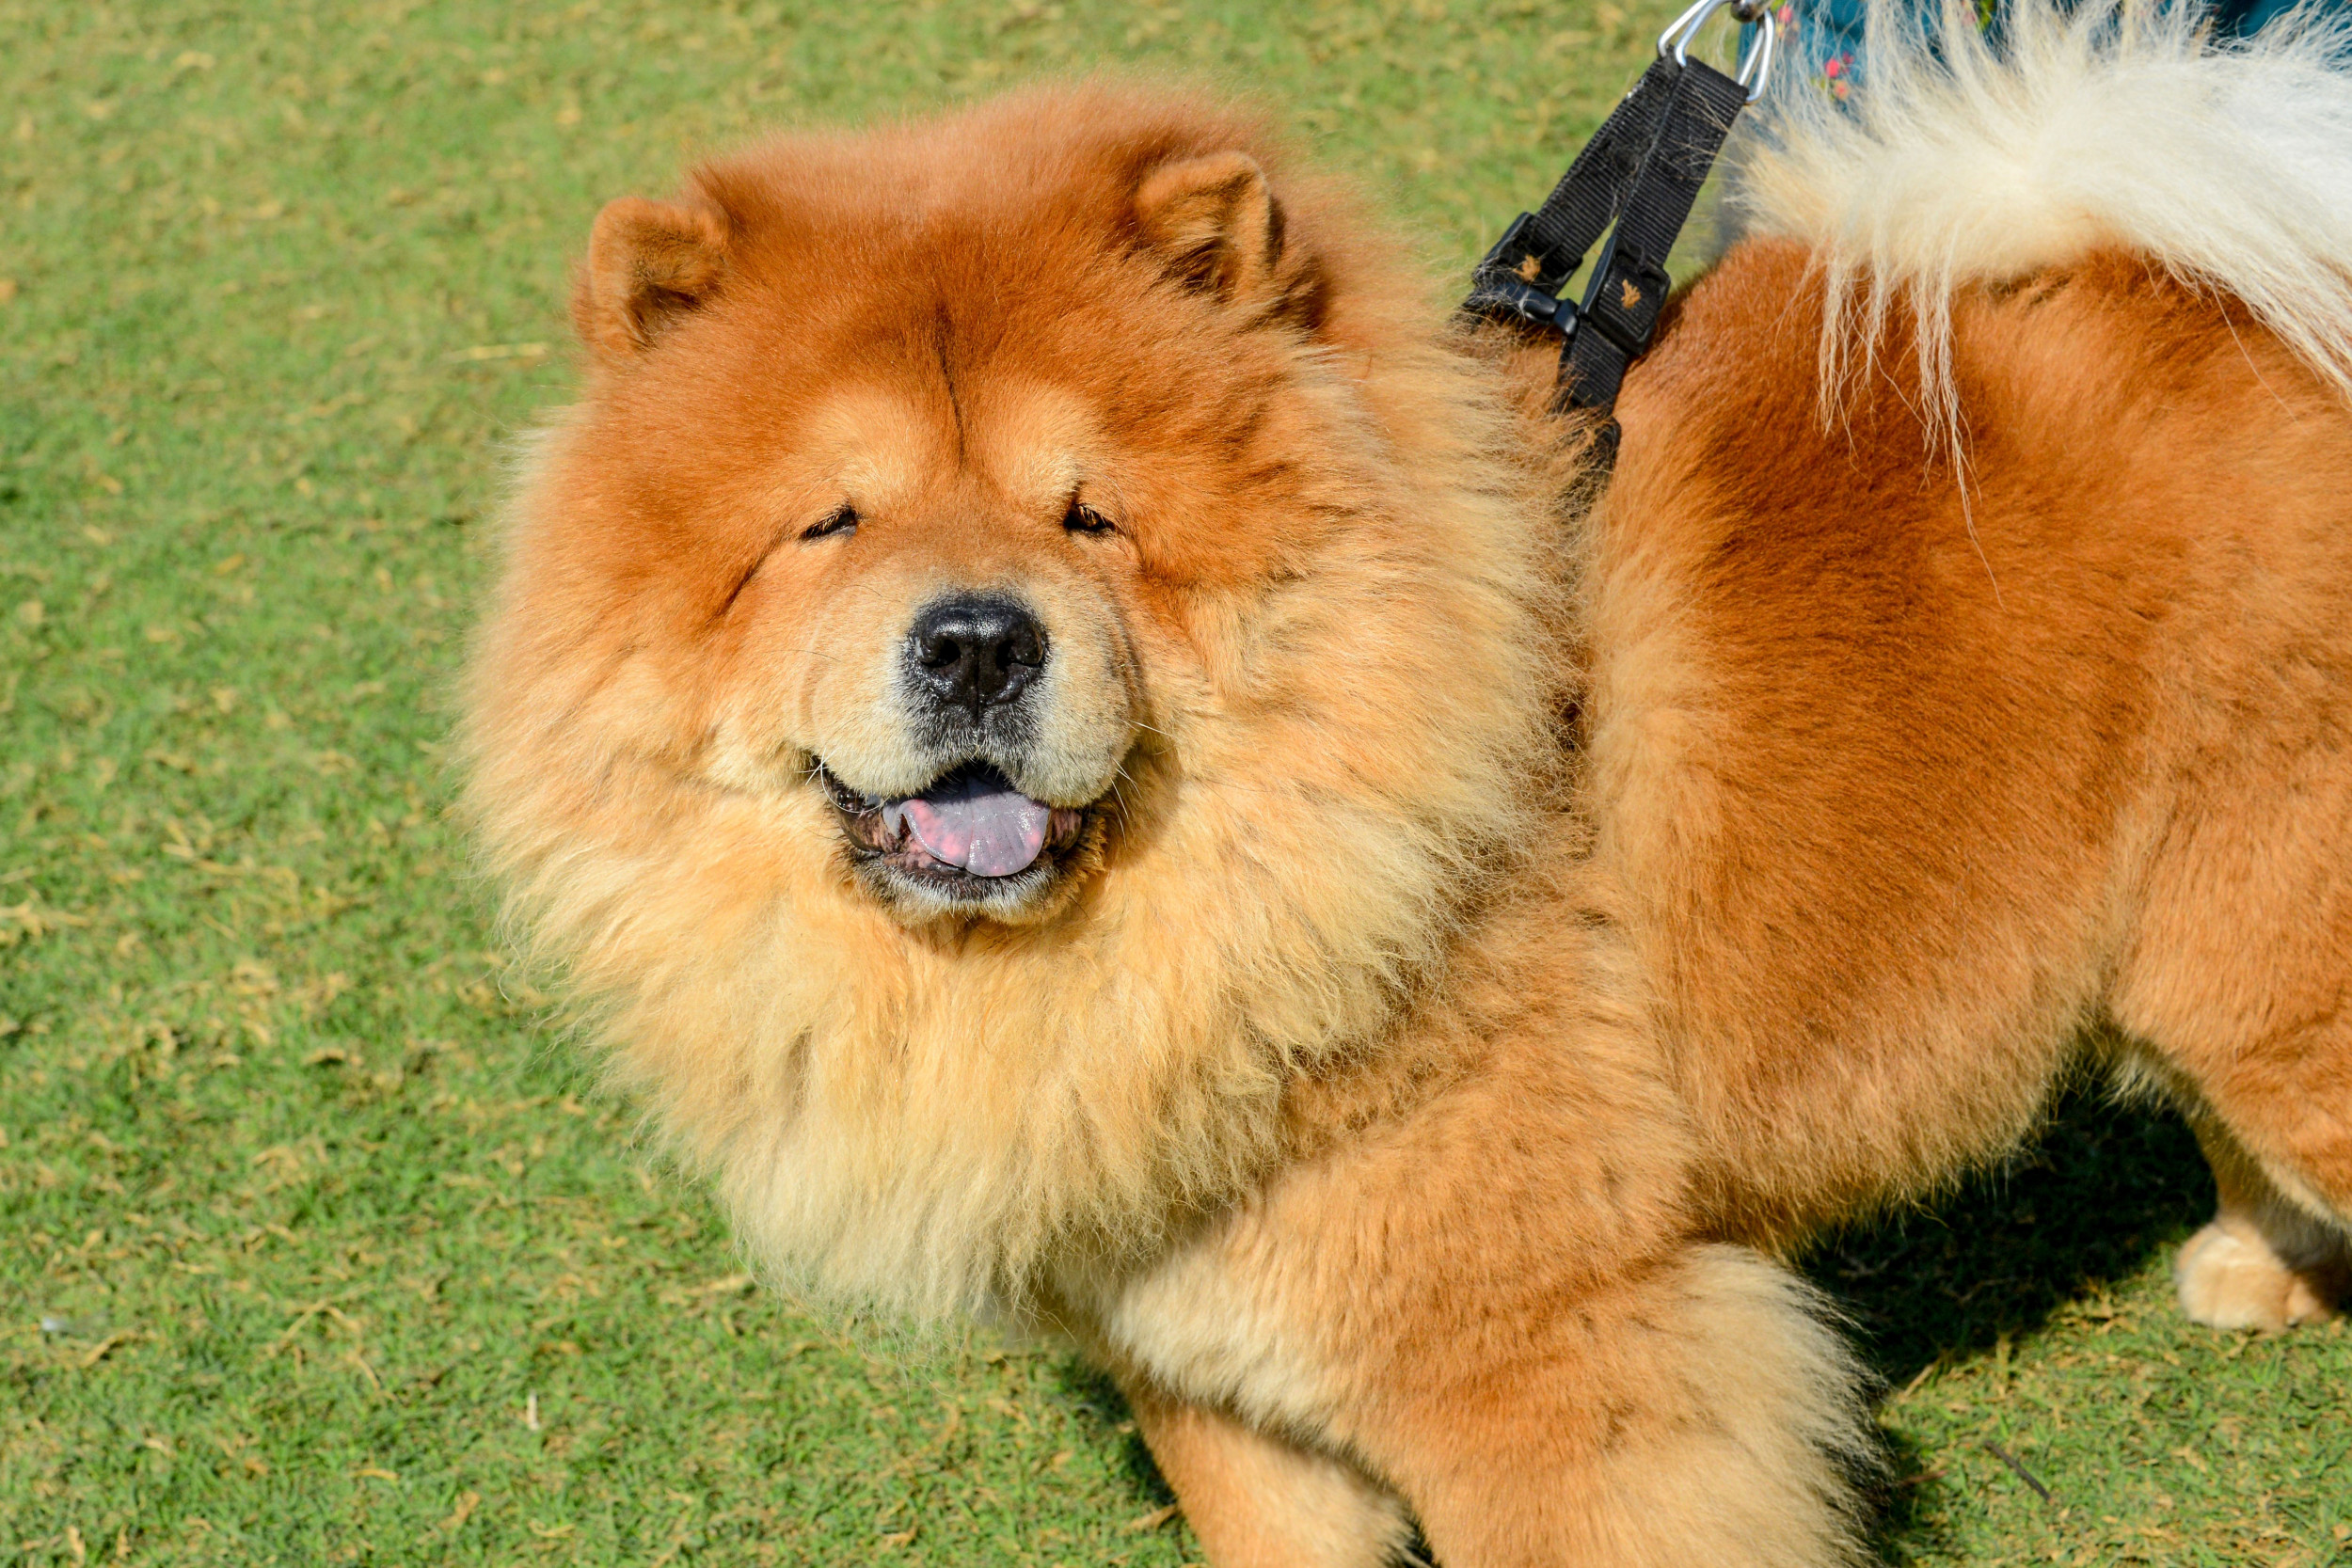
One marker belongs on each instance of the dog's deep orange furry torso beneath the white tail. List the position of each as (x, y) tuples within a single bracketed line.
[(1913, 784)]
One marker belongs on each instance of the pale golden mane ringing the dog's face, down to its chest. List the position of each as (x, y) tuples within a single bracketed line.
[(926, 1120)]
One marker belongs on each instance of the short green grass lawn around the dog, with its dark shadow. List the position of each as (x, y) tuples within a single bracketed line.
[(314, 1247)]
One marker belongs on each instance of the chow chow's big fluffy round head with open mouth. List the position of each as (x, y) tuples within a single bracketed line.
[(1020, 589)]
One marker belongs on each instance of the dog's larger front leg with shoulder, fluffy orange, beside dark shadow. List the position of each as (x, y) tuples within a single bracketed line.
[(1499, 1304)]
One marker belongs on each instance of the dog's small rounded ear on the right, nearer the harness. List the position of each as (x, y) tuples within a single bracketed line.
[(1220, 229)]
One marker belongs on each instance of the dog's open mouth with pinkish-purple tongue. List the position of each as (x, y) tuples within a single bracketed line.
[(968, 831)]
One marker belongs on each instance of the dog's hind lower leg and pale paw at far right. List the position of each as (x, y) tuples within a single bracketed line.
[(2261, 1261)]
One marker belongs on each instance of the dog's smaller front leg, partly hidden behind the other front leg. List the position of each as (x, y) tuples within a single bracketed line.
[(1264, 1503)]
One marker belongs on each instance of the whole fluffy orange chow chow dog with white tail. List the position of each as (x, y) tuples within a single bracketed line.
[(1104, 765)]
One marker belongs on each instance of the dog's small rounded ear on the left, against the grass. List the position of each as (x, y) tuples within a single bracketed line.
[(648, 264)]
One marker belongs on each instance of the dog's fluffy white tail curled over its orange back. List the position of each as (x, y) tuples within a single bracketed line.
[(1967, 161)]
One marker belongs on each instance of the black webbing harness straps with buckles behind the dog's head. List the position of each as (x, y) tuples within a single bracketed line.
[(1645, 170)]
